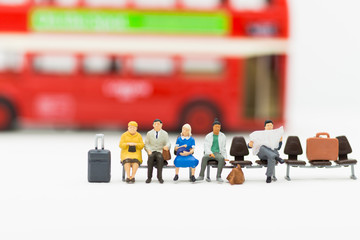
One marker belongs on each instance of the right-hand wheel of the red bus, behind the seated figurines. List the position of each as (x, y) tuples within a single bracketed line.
[(200, 117)]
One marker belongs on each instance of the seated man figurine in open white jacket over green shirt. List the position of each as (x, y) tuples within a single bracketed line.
[(215, 149)]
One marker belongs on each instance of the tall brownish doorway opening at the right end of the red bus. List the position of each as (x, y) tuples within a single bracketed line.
[(262, 87)]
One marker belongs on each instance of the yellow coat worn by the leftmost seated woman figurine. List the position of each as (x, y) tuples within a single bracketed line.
[(127, 138)]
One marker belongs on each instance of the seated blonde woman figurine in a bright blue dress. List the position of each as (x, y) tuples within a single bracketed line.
[(184, 148)]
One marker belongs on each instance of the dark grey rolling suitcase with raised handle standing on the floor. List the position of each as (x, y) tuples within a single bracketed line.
[(99, 162)]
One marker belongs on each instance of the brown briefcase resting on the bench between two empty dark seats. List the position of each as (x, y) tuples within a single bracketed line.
[(320, 148)]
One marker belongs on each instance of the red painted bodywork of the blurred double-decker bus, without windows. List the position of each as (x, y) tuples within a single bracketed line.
[(81, 99)]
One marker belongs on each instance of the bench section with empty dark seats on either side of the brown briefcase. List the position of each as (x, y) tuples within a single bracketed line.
[(293, 149)]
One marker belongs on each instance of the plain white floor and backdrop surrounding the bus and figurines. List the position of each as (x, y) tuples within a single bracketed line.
[(43, 176)]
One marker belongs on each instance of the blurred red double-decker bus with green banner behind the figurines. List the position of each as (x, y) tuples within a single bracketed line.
[(88, 63)]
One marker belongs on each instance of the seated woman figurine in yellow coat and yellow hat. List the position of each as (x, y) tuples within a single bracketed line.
[(131, 144)]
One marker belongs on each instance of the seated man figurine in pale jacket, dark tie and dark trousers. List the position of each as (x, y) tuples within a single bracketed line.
[(156, 141)]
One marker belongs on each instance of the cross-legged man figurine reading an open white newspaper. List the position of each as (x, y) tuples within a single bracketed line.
[(265, 145)]
